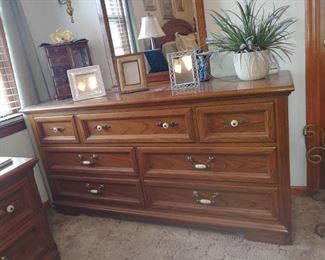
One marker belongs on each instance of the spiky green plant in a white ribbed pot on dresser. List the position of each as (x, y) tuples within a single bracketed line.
[(255, 37)]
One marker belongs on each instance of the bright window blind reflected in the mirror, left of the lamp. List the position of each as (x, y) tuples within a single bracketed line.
[(116, 10)]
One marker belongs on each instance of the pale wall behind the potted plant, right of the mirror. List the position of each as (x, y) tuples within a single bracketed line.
[(223, 66)]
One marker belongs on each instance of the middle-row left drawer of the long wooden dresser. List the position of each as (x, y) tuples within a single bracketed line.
[(101, 161)]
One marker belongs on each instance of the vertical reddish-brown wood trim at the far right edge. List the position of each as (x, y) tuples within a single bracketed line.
[(313, 86)]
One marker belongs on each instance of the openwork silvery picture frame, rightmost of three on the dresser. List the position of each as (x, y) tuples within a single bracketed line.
[(183, 70)]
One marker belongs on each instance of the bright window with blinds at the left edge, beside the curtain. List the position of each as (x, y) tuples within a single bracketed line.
[(9, 99)]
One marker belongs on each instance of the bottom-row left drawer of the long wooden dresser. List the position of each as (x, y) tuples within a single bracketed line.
[(103, 191)]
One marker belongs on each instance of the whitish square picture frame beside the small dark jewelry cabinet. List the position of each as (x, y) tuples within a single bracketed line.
[(86, 83)]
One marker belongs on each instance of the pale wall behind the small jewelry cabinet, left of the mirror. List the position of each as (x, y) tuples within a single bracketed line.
[(45, 16)]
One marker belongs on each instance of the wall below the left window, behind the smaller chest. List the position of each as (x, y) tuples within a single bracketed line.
[(19, 145)]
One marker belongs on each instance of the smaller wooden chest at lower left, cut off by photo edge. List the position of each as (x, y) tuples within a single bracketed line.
[(24, 230)]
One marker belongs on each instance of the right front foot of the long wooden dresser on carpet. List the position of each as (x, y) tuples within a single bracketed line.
[(269, 237)]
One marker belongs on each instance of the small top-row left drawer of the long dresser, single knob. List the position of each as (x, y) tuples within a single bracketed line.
[(56, 129)]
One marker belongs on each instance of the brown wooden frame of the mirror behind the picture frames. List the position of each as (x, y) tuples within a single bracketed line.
[(109, 48)]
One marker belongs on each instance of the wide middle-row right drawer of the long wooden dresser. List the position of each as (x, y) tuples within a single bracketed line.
[(237, 164)]
